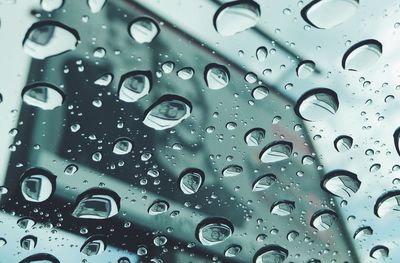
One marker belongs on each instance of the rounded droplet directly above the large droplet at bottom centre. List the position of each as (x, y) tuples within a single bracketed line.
[(191, 180)]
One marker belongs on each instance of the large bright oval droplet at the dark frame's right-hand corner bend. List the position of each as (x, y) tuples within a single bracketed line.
[(317, 104)]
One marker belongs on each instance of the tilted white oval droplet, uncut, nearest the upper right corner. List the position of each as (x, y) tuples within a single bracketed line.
[(362, 55)]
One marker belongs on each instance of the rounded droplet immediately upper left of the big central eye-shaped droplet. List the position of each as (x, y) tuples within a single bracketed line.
[(134, 85)]
